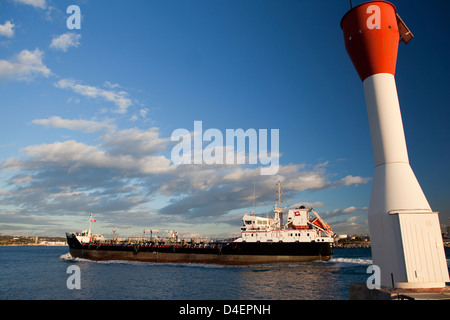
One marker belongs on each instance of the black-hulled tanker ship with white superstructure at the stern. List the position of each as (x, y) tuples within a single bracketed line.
[(304, 237)]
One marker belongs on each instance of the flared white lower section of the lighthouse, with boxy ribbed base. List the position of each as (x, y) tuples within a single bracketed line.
[(406, 238)]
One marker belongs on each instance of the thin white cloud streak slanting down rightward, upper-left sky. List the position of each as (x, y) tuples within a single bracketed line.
[(119, 98)]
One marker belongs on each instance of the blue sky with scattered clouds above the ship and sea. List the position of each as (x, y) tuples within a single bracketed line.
[(88, 113)]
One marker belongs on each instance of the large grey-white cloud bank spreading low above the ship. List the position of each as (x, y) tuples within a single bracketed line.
[(129, 179)]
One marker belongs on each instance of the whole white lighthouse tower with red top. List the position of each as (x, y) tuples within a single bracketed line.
[(405, 234)]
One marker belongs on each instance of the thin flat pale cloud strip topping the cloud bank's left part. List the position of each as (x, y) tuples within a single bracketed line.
[(87, 126)]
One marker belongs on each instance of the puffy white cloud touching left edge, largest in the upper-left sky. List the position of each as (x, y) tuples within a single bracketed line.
[(24, 66)]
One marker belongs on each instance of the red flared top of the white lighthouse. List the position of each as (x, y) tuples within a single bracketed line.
[(371, 37)]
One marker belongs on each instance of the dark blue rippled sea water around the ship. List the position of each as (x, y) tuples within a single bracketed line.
[(40, 273)]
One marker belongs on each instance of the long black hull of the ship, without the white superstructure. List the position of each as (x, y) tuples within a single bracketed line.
[(231, 253)]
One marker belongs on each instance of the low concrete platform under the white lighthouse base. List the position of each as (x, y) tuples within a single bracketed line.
[(359, 291)]
